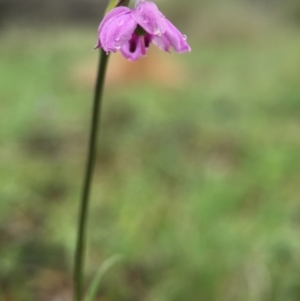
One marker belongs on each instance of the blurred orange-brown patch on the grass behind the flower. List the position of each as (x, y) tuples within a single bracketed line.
[(157, 67)]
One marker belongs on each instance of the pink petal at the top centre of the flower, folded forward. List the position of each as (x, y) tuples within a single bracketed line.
[(148, 16)]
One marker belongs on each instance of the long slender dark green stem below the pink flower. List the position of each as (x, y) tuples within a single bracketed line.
[(84, 204)]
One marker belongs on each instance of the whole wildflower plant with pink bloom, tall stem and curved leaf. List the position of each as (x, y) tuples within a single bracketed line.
[(130, 31)]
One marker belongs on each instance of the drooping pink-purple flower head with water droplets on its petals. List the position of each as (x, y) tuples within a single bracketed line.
[(133, 30)]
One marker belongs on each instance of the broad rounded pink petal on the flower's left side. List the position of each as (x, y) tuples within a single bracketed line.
[(117, 31)]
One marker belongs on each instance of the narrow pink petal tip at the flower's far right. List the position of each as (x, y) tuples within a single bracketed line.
[(176, 38)]
